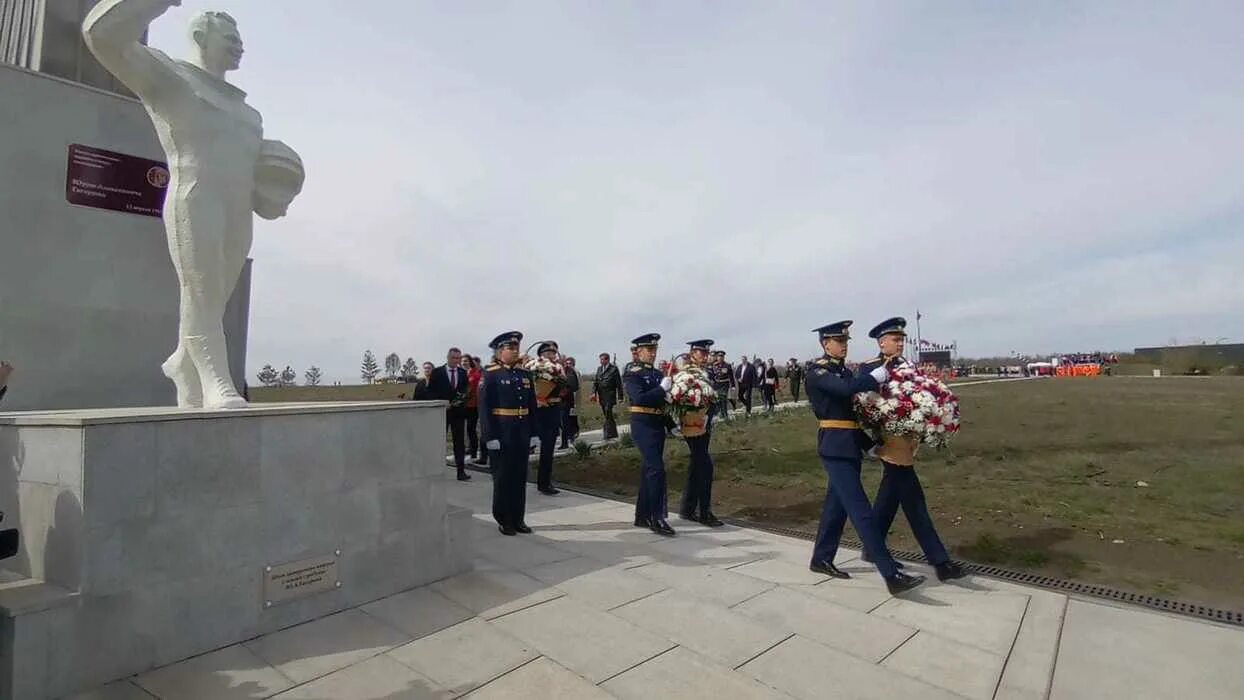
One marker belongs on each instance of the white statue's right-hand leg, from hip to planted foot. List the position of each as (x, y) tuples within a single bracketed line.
[(197, 243)]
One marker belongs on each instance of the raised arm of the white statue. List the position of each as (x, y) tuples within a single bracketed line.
[(114, 32)]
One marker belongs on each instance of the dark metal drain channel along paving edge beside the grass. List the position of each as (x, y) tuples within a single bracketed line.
[(1165, 605)]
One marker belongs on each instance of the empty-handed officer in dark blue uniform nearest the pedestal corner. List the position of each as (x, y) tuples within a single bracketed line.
[(508, 405)]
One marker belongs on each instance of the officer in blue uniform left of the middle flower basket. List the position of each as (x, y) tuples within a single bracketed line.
[(646, 389)]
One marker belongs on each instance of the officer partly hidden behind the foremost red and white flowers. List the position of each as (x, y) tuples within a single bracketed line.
[(900, 486)]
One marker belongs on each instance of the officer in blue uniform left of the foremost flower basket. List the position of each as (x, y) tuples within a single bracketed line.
[(840, 442)]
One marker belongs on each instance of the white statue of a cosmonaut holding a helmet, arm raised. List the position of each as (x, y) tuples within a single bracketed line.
[(222, 171)]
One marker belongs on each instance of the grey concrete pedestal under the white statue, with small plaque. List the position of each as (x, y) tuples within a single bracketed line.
[(151, 535)]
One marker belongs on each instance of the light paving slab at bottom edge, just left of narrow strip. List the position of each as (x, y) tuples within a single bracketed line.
[(959, 668)]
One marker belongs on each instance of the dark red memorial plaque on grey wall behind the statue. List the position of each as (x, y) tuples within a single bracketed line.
[(106, 180)]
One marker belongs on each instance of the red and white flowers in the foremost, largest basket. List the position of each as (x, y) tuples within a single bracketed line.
[(912, 406)]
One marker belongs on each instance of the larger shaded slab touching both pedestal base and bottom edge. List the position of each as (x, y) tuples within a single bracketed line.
[(233, 673)]
